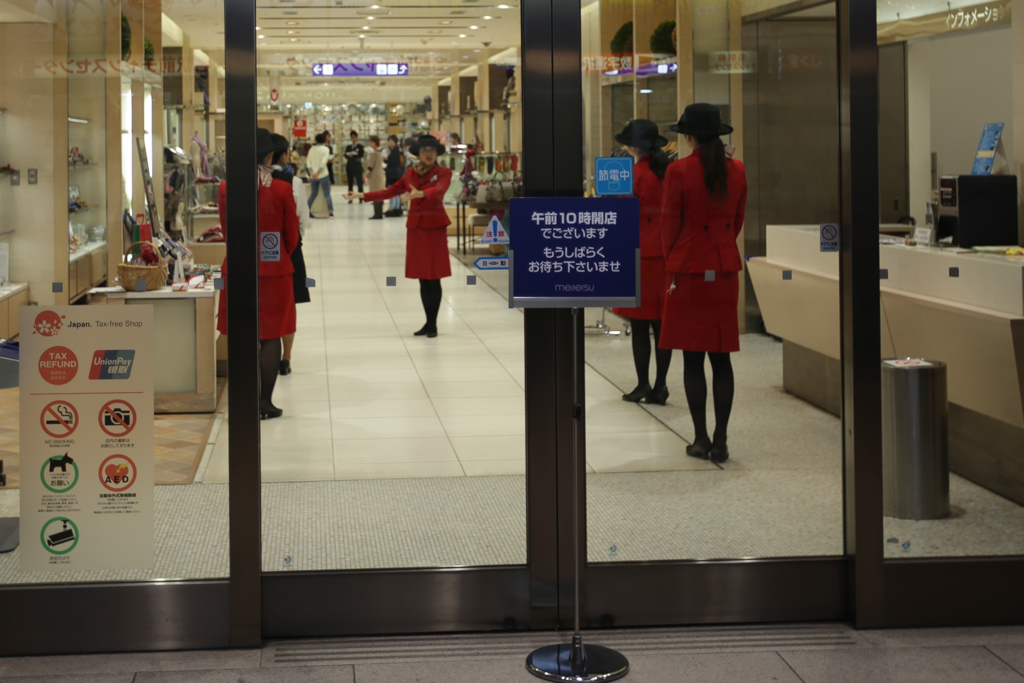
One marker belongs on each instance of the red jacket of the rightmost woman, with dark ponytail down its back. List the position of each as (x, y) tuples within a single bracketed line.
[(700, 233)]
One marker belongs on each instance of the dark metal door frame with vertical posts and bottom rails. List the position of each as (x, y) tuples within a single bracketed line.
[(251, 606)]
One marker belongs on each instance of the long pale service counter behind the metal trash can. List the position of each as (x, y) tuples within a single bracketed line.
[(964, 309)]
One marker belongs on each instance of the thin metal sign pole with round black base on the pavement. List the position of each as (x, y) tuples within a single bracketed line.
[(577, 663)]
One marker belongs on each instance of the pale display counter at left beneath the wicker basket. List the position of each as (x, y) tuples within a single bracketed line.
[(186, 378)]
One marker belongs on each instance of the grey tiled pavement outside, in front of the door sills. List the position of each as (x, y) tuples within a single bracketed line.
[(788, 654)]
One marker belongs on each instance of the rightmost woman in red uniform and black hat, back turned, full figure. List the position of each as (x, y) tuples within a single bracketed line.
[(703, 214)]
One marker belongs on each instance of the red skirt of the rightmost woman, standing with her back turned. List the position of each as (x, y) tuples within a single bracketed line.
[(702, 316)]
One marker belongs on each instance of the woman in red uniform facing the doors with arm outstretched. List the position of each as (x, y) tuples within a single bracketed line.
[(426, 244)]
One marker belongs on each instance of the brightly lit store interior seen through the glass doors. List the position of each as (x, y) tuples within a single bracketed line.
[(397, 451)]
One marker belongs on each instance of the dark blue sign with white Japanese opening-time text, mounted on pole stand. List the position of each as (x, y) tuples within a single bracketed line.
[(570, 253)]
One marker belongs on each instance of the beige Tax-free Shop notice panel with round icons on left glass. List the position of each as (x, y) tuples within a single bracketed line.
[(87, 401)]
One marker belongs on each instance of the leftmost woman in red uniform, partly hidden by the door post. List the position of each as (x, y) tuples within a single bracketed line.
[(277, 224)]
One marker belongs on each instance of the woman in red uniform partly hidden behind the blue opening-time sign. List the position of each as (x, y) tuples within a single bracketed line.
[(644, 142)]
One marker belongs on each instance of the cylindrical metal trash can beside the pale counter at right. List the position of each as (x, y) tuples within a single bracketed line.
[(915, 440)]
